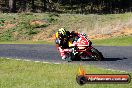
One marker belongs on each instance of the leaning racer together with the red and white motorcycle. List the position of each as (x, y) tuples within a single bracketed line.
[(76, 46)]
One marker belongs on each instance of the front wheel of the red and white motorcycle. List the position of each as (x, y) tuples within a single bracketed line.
[(96, 55)]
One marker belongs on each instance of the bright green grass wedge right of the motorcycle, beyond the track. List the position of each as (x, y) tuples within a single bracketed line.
[(115, 41)]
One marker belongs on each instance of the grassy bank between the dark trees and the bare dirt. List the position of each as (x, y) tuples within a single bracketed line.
[(77, 22)]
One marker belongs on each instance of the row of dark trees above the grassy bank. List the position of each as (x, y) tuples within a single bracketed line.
[(67, 6)]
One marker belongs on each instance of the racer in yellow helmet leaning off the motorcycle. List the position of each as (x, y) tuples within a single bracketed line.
[(63, 40)]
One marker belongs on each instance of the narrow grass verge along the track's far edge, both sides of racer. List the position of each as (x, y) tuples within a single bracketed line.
[(115, 41)]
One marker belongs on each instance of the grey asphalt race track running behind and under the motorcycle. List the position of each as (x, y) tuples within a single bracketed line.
[(118, 58)]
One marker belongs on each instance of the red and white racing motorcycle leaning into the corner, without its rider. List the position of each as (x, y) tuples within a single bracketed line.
[(81, 48)]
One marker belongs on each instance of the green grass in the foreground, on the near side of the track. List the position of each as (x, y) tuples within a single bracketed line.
[(22, 74)]
